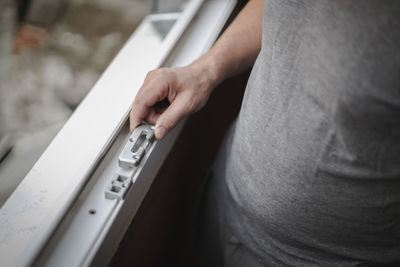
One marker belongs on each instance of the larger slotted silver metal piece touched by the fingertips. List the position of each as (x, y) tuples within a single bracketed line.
[(137, 145)]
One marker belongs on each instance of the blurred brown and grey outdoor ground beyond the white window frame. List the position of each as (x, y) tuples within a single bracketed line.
[(51, 54)]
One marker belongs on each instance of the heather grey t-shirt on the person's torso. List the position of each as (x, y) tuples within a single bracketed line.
[(311, 168)]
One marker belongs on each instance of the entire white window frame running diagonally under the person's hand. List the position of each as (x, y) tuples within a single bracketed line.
[(44, 209)]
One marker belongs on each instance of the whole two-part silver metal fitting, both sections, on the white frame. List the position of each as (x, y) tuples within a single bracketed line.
[(129, 160)]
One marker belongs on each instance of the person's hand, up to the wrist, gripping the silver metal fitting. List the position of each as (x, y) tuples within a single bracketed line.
[(169, 94)]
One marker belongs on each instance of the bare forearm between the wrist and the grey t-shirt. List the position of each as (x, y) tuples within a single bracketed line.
[(238, 47)]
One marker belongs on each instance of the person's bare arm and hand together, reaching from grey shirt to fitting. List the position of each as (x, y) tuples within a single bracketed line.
[(169, 94)]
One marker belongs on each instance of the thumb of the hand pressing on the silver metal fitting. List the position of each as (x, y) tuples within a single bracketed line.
[(171, 116)]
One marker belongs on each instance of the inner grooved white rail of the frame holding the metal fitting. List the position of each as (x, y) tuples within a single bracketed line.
[(80, 236)]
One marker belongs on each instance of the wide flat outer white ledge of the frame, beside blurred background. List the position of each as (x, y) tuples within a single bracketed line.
[(33, 211)]
